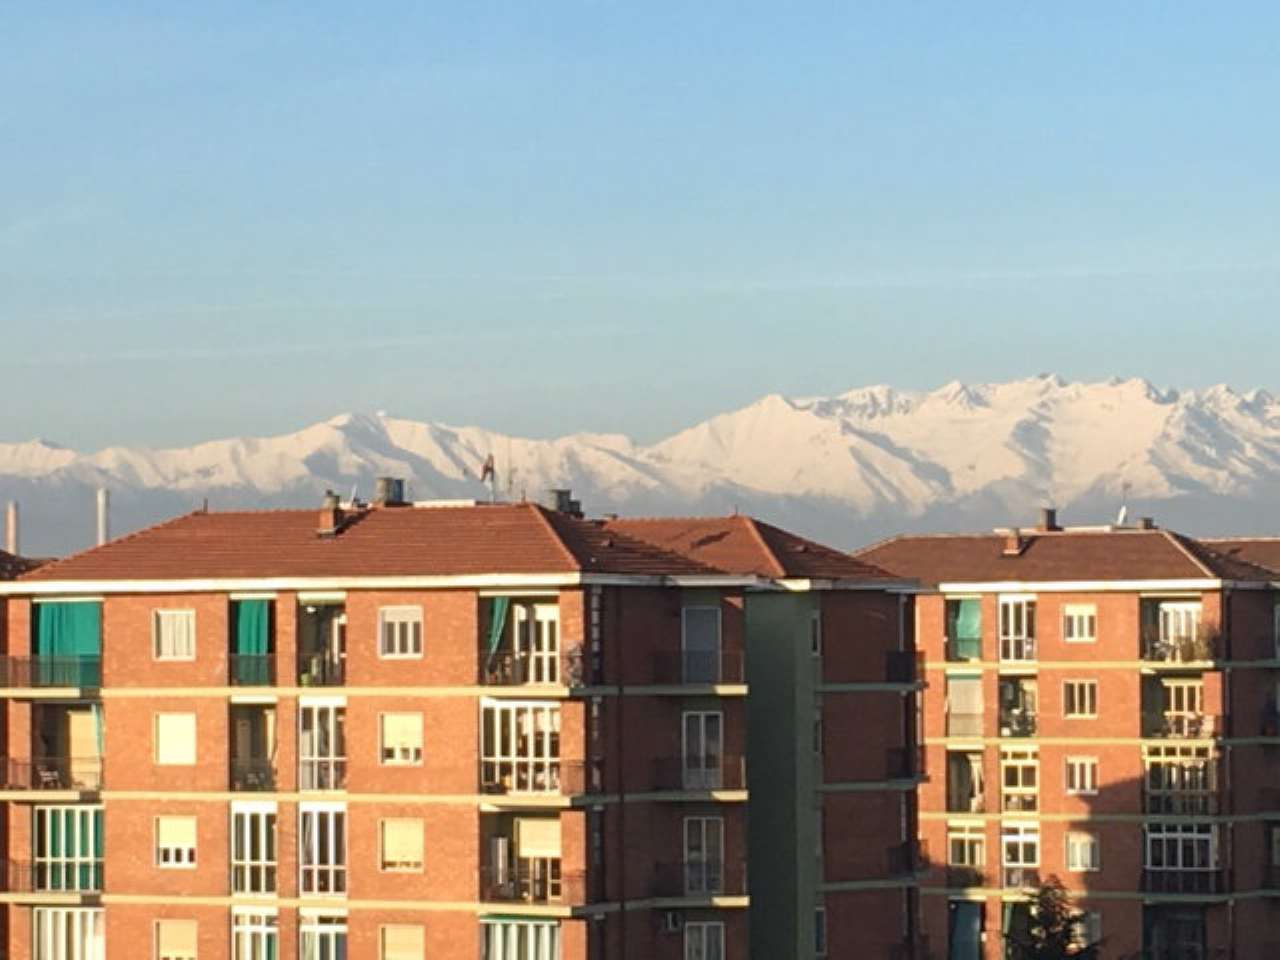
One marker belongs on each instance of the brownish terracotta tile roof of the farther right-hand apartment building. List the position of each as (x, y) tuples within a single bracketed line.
[(1060, 556)]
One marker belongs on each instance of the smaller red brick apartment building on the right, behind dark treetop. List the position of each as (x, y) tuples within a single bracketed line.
[(1101, 705)]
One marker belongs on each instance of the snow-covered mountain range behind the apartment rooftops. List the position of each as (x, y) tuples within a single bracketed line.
[(845, 469)]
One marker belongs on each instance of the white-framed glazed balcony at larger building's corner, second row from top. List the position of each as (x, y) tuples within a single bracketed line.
[(520, 748)]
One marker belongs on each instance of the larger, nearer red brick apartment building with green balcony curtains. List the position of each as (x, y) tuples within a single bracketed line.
[(500, 732)]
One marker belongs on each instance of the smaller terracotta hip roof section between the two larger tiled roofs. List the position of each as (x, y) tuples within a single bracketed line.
[(747, 546)]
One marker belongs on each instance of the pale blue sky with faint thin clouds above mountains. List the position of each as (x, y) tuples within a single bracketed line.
[(227, 220)]
